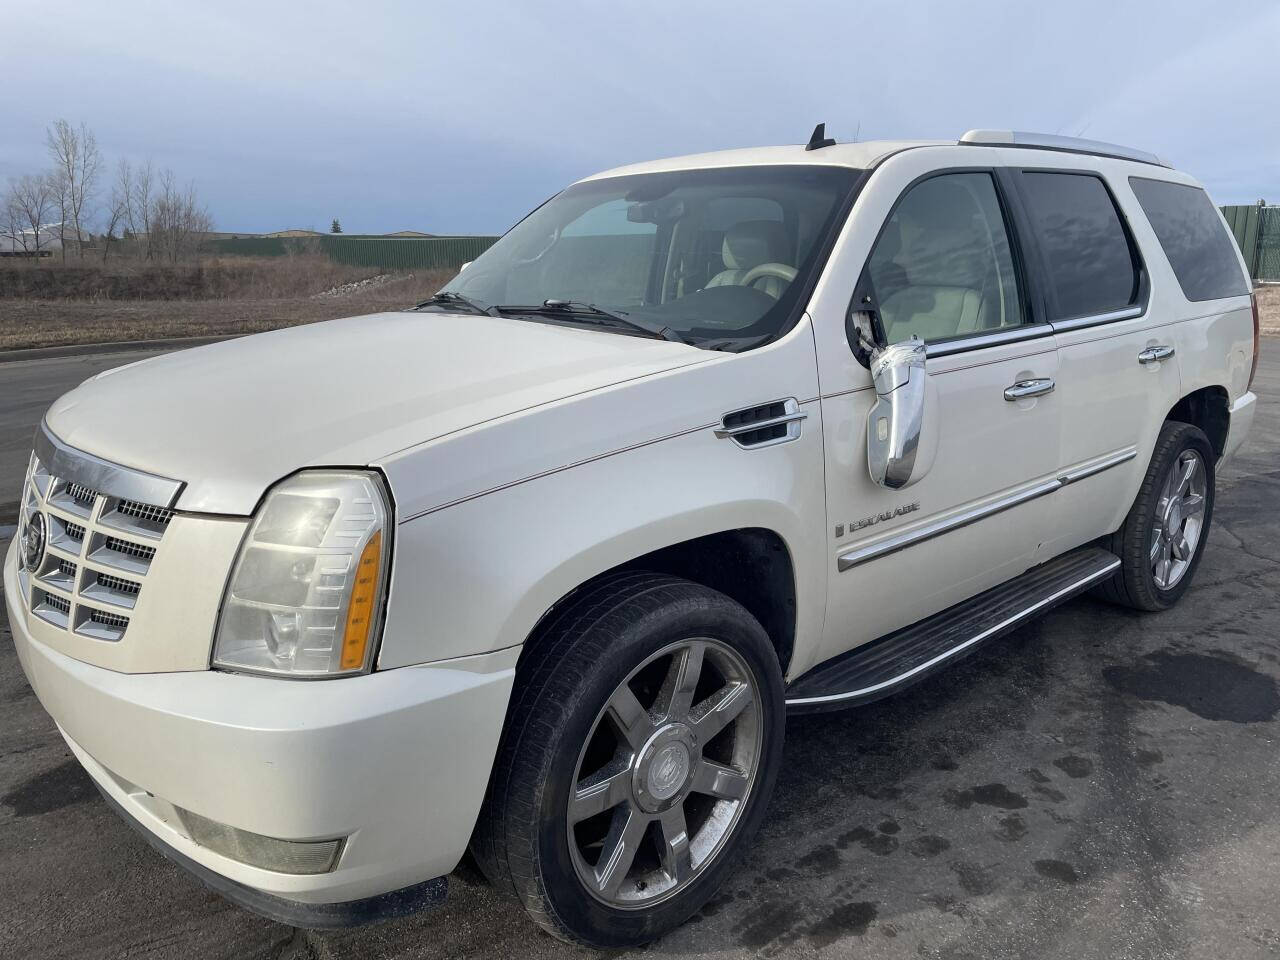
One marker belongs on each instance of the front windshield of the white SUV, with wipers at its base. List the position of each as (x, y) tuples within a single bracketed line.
[(717, 258)]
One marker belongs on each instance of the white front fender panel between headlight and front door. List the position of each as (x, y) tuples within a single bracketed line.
[(479, 575)]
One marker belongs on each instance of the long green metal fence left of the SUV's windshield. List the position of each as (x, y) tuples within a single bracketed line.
[(390, 253)]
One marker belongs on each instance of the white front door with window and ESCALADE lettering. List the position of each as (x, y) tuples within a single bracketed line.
[(947, 268)]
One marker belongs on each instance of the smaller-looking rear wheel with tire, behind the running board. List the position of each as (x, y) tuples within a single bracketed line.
[(1162, 542)]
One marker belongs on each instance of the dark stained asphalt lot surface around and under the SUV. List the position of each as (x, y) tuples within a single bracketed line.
[(1100, 784)]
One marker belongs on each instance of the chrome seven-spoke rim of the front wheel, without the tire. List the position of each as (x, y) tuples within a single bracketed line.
[(665, 774)]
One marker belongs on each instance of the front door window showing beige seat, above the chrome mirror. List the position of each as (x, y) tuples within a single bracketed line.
[(943, 266)]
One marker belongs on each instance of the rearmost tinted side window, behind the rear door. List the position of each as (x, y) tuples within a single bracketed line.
[(1194, 237)]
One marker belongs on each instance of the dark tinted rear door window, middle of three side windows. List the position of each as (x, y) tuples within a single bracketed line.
[(1091, 264)]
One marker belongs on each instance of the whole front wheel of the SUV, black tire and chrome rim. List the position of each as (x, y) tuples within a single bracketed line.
[(639, 755)]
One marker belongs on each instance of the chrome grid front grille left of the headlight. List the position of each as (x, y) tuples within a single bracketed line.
[(99, 548)]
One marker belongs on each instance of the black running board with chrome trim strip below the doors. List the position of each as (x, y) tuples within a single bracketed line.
[(899, 660)]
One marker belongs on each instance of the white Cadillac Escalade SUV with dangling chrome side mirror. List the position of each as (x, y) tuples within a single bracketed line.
[(542, 566)]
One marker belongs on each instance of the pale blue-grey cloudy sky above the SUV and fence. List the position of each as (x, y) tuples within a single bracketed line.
[(461, 117)]
